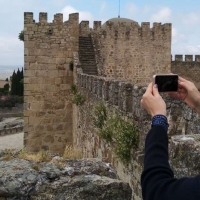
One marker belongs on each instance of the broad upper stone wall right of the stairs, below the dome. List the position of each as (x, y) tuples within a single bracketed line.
[(133, 53)]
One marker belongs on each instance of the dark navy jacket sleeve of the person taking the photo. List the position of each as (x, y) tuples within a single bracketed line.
[(157, 180)]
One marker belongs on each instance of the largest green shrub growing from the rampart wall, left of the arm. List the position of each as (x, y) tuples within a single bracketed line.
[(123, 134)]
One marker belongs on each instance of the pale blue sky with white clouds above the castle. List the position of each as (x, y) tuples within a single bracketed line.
[(183, 14)]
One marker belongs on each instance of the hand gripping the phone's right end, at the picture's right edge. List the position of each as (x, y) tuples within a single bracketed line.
[(188, 92)]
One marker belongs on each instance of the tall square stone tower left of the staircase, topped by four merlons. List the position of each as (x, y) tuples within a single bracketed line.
[(48, 49)]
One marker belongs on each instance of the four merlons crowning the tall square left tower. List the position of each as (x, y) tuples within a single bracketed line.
[(43, 18)]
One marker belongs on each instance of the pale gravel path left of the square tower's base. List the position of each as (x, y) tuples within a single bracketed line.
[(14, 141)]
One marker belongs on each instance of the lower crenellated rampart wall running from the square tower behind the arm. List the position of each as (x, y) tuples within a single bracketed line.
[(124, 98)]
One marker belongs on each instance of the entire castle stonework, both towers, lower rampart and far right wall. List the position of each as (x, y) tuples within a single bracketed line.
[(126, 59)]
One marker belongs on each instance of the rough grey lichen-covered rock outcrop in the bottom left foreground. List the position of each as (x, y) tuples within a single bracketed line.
[(69, 179)]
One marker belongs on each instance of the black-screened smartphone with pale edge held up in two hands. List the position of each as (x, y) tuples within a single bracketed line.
[(166, 82)]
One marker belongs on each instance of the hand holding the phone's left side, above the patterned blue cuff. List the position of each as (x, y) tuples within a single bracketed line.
[(153, 102)]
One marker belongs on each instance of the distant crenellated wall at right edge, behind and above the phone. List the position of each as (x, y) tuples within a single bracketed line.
[(188, 67)]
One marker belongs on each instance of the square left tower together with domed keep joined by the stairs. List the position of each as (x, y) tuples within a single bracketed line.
[(123, 51)]
